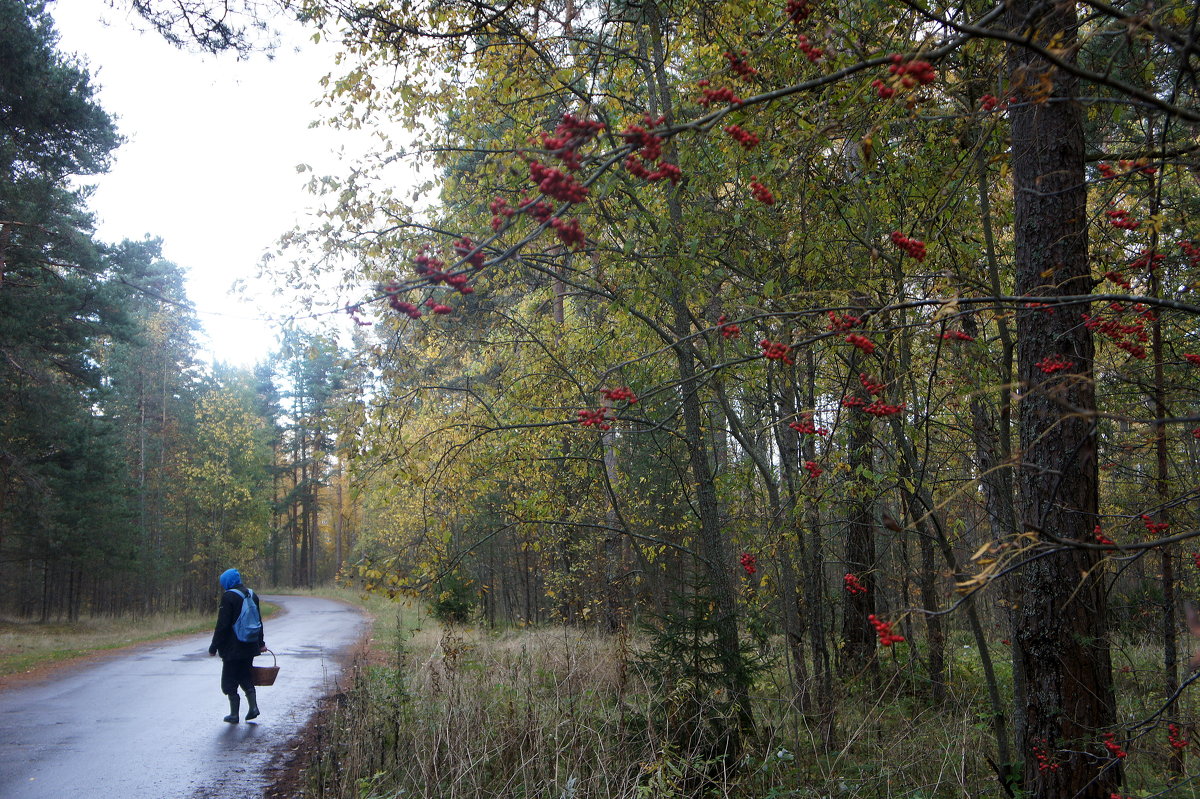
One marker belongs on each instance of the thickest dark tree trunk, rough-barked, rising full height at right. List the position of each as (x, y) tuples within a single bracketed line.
[(1061, 640)]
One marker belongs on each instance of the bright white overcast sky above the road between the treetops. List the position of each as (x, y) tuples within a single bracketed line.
[(211, 158)]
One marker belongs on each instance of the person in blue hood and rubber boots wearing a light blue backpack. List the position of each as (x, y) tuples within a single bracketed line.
[(238, 639)]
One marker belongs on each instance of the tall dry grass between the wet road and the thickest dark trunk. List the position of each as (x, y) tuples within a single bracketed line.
[(561, 714)]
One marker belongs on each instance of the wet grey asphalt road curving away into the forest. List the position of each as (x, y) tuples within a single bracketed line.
[(147, 724)]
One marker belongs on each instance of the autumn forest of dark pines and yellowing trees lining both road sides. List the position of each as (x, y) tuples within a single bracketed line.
[(769, 398)]
